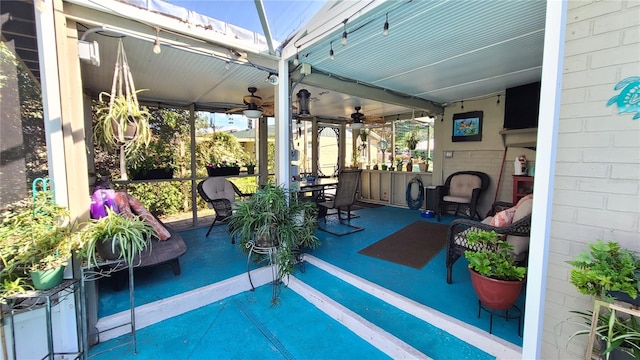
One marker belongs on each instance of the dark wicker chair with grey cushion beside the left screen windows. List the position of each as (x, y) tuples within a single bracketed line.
[(220, 194)]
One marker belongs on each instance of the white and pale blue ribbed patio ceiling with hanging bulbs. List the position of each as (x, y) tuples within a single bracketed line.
[(436, 53)]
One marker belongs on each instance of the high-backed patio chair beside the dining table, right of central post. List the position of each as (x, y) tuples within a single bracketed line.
[(341, 202)]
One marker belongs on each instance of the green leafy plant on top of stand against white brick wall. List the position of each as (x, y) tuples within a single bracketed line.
[(604, 268)]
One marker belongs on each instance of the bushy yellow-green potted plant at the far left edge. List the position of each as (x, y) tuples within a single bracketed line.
[(36, 242)]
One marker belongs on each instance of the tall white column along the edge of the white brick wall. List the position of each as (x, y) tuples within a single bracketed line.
[(552, 64)]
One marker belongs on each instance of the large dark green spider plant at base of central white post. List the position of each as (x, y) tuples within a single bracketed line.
[(274, 217)]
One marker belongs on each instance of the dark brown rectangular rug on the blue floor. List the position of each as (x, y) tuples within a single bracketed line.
[(413, 246)]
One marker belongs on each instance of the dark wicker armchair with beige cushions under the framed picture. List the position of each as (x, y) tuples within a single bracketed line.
[(460, 193)]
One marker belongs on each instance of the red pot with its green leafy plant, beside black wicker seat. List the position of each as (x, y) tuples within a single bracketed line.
[(495, 276)]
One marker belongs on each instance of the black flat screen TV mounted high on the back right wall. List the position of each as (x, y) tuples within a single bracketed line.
[(521, 106)]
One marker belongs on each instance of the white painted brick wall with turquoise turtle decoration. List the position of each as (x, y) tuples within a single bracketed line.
[(597, 184)]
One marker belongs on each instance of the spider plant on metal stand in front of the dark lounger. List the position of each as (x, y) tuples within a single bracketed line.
[(114, 237)]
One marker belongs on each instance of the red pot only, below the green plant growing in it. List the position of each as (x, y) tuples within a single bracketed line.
[(496, 294)]
